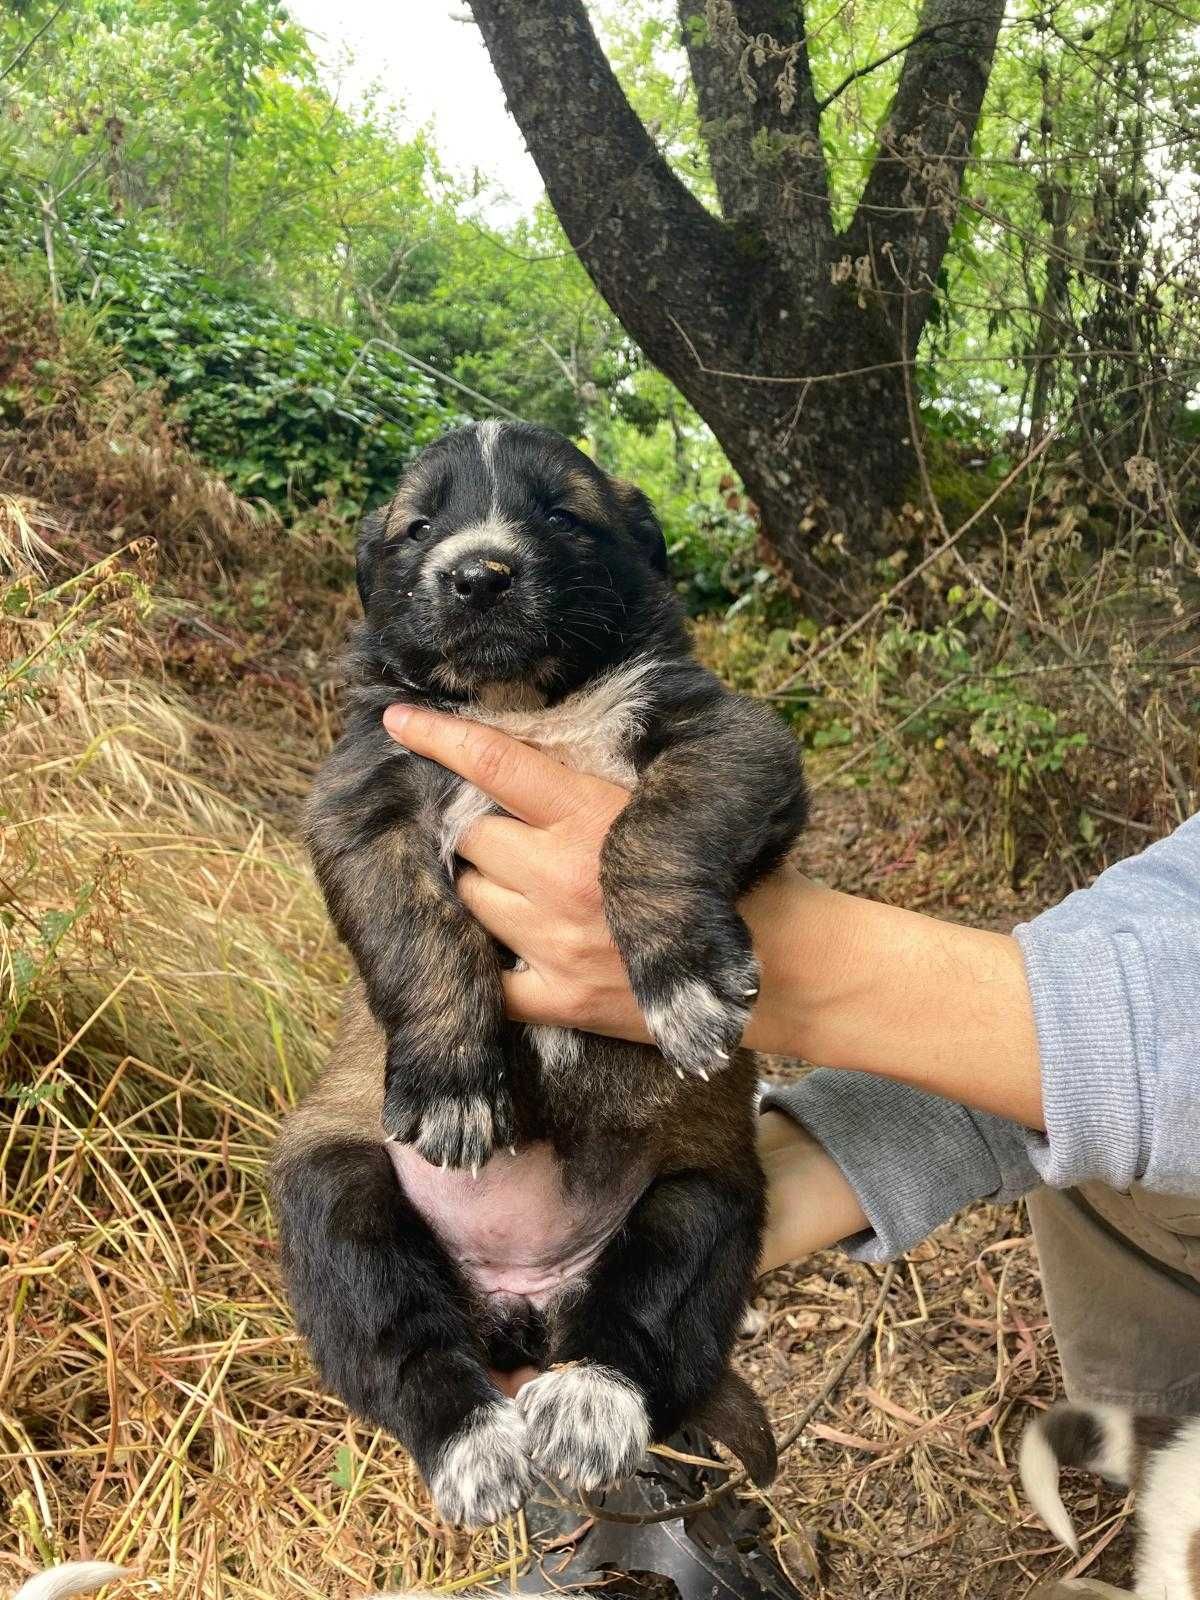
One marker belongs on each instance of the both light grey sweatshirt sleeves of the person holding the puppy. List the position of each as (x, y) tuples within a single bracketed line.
[(1114, 974)]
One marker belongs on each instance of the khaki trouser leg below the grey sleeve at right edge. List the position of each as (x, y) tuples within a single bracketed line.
[(1122, 1282)]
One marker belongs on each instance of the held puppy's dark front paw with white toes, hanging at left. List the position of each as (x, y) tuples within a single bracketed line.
[(452, 1124)]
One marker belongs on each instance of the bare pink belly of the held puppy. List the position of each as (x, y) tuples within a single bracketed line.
[(514, 1230)]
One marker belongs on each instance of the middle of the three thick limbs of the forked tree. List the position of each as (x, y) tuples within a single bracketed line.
[(761, 122)]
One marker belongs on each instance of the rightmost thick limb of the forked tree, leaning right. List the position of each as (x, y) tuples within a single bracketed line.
[(908, 209)]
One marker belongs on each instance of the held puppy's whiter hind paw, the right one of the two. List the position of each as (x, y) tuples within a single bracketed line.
[(588, 1425)]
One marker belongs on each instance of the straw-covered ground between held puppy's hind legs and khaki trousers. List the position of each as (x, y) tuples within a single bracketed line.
[(906, 1490)]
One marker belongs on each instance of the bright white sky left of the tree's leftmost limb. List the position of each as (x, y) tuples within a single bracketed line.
[(438, 68)]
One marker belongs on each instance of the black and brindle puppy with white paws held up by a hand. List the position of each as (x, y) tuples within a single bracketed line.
[(462, 1193)]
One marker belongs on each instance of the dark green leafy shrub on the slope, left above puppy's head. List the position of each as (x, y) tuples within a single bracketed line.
[(282, 407)]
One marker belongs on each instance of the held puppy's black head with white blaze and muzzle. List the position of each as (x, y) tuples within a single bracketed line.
[(510, 558)]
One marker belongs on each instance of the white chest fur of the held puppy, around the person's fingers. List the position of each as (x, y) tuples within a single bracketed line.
[(591, 732)]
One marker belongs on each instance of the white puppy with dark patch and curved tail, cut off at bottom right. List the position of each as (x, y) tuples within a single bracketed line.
[(1156, 1455)]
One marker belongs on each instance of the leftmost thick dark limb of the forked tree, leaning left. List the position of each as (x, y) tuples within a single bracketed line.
[(650, 247)]
